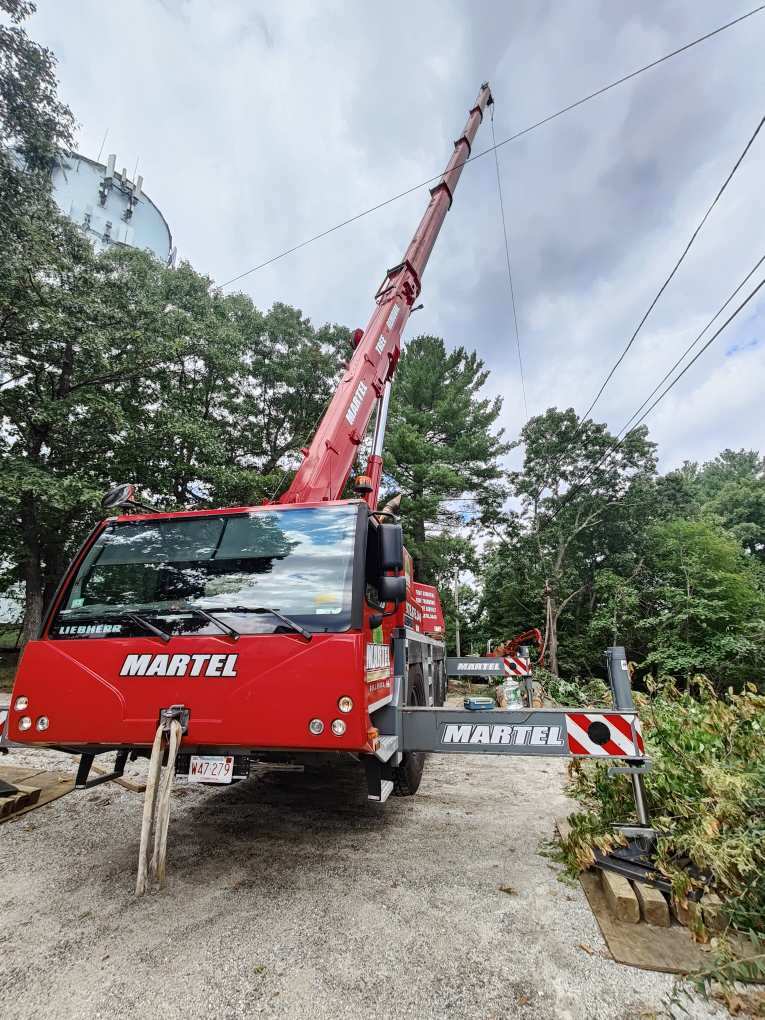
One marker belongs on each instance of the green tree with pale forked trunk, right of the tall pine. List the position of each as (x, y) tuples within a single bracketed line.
[(583, 503)]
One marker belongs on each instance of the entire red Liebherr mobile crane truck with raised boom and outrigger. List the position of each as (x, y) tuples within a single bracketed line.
[(288, 630)]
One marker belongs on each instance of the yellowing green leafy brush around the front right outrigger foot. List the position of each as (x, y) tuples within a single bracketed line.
[(705, 792)]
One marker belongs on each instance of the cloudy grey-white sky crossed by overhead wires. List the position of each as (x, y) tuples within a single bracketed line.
[(259, 125)]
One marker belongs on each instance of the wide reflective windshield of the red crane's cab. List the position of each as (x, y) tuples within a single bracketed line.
[(298, 563)]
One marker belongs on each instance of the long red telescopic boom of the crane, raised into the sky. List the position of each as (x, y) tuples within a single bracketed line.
[(329, 460)]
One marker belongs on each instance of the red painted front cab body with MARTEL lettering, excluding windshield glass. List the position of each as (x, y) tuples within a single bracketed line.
[(261, 691)]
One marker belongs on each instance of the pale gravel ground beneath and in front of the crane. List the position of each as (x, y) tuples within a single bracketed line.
[(292, 896)]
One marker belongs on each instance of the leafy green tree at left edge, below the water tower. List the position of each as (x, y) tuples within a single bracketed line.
[(70, 339)]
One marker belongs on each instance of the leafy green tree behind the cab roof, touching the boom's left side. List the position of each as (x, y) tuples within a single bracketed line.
[(240, 394)]
